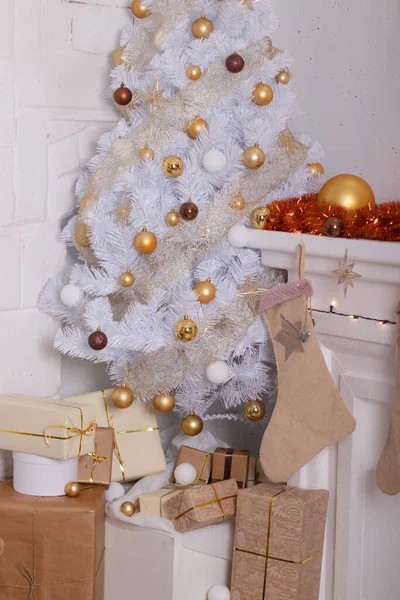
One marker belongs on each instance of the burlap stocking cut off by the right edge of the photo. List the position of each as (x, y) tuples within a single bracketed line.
[(388, 470)]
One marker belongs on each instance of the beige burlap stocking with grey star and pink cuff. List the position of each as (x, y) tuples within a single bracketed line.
[(309, 414)]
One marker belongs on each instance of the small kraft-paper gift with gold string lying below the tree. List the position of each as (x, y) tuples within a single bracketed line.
[(202, 505)]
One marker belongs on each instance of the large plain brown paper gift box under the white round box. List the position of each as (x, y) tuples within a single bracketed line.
[(51, 548)]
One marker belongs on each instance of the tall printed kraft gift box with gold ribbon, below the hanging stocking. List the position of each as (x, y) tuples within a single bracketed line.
[(278, 543)]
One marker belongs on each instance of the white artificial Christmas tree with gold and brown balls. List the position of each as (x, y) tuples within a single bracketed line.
[(203, 140)]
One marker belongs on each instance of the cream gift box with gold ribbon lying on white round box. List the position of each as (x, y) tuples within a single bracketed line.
[(48, 428)]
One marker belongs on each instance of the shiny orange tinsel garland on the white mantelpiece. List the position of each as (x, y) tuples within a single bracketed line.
[(305, 215)]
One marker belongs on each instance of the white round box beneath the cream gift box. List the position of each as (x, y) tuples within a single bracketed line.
[(39, 476)]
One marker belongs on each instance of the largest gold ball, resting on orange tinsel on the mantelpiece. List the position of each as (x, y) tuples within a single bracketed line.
[(349, 191)]
